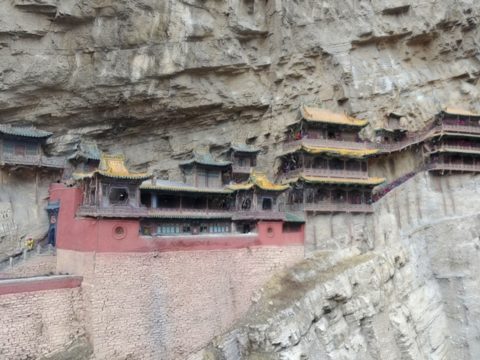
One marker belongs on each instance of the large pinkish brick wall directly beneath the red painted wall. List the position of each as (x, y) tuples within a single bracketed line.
[(169, 305)]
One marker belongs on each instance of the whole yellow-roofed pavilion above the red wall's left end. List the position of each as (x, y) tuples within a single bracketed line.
[(112, 190)]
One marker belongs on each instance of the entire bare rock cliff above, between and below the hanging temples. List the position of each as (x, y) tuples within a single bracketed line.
[(154, 79)]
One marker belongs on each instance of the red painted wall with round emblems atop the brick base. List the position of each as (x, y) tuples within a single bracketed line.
[(87, 235)]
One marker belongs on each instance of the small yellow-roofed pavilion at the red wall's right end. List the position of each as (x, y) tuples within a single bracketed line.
[(258, 199)]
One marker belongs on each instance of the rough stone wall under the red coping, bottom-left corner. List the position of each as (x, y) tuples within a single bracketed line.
[(35, 324)]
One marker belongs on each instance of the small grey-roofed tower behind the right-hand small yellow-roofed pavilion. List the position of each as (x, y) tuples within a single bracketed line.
[(243, 158)]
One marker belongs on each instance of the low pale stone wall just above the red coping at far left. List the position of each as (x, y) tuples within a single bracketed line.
[(38, 265)]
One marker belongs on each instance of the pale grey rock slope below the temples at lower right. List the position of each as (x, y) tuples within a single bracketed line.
[(404, 287)]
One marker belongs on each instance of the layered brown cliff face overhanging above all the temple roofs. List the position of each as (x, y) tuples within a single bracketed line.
[(153, 79)]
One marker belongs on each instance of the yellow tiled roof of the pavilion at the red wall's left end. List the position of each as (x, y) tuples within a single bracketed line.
[(113, 166)]
